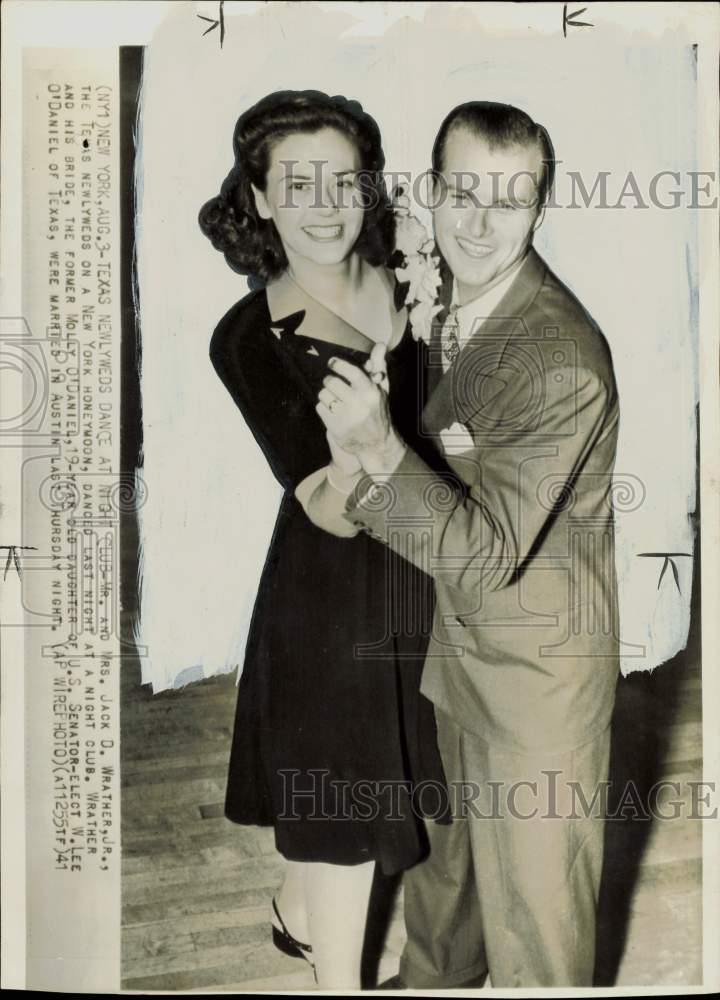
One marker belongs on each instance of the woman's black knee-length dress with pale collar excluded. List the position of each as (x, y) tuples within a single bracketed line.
[(331, 732)]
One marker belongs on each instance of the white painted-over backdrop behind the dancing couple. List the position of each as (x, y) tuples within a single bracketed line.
[(612, 101)]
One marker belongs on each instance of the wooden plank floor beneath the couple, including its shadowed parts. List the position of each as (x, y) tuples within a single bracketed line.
[(197, 888)]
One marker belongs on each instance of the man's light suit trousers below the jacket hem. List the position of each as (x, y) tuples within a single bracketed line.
[(510, 887)]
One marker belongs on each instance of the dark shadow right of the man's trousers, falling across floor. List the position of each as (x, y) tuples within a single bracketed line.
[(646, 706)]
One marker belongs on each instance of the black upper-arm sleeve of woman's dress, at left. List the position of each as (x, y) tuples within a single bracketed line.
[(273, 401)]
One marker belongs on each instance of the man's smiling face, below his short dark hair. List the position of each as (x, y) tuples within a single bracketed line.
[(487, 209)]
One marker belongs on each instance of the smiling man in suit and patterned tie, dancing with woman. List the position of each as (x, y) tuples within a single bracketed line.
[(523, 660)]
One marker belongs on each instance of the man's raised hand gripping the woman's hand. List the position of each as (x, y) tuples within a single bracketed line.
[(354, 409)]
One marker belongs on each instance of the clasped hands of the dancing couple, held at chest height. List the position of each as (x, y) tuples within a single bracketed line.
[(353, 406)]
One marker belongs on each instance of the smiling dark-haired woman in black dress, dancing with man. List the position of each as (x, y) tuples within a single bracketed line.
[(331, 733)]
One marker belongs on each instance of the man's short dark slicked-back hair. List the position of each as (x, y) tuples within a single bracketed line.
[(501, 126)]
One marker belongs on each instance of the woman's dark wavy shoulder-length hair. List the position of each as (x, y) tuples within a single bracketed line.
[(251, 245)]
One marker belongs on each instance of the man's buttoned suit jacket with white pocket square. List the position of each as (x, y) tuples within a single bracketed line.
[(518, 535)]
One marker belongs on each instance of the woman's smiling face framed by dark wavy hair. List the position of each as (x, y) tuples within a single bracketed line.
[(311, 194)]
